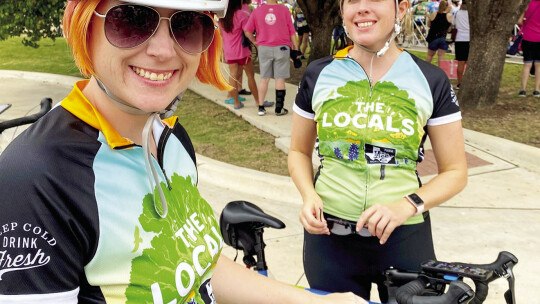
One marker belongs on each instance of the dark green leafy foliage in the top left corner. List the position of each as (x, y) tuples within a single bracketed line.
[(33, 19)]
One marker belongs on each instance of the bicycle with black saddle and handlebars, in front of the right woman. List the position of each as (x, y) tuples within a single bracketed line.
[(242, 226)]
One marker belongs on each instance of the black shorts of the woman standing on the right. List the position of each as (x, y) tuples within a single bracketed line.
[(351, 263)]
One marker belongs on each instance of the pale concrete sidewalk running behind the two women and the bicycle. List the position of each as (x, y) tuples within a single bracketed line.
[(498, 210)]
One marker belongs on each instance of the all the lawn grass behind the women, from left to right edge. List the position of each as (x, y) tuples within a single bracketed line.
[(228, 138)]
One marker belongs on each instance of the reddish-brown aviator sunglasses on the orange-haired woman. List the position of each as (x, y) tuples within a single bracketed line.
[(128, 26)]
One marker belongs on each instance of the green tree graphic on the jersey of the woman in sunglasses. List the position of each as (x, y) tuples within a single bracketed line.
[(159, 263)]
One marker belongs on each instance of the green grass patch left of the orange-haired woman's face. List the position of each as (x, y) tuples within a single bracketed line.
[(51, 57)]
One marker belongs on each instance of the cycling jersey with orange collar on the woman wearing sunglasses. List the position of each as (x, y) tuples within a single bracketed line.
[(78, 222)]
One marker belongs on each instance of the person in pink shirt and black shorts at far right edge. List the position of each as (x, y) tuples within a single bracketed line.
[(530, 25)]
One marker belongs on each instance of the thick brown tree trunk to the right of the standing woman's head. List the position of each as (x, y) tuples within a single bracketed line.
[(491, 23)]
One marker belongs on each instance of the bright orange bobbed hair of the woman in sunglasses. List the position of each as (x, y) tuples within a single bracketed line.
[(76, 25)]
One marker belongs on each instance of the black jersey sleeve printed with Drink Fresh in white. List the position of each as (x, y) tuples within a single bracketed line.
[(48, 223)]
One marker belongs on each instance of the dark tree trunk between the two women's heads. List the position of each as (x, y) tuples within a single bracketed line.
[(322, 16)]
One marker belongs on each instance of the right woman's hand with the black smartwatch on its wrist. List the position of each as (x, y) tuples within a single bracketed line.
[(382, 219)]
